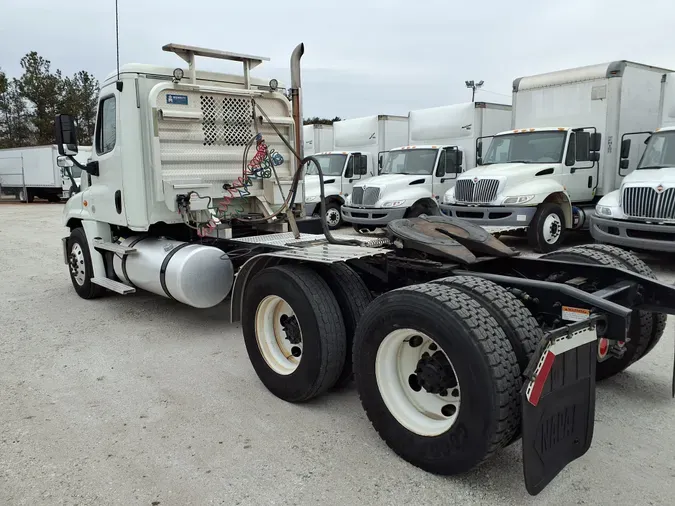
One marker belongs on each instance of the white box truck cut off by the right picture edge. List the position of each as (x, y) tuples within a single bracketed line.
[(641, 213)]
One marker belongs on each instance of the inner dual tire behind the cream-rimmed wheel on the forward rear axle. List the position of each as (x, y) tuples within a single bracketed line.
[(353, 297)]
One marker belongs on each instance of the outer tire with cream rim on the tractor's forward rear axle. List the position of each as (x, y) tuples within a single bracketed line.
[(290, 309)]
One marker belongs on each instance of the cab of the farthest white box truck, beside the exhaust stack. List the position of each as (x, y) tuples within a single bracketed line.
[(341, 170)]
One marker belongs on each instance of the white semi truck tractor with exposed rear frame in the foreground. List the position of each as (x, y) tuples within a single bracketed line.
[(458, 346)]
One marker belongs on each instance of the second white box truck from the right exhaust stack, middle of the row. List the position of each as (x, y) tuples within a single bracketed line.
[(414, 177)]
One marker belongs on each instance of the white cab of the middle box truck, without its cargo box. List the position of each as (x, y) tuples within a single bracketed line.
[(410, 182)]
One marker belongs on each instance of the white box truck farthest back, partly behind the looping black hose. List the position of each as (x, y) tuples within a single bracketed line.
[(358, 143)]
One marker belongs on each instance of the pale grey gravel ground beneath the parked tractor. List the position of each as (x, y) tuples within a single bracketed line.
[(140, 400)]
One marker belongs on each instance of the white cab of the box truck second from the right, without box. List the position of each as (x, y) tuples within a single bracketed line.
[(529, 175)]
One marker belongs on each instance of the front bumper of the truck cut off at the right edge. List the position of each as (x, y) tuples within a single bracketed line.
[(632, 234)]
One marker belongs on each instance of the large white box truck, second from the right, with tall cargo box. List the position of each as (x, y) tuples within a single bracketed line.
[(562, 154)]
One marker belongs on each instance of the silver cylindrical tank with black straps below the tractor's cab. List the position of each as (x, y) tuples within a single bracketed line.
[(194, 274)]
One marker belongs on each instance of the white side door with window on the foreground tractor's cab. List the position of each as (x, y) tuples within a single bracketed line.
[(105, 199)]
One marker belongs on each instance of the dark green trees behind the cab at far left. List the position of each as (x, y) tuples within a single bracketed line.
[(28, 103)]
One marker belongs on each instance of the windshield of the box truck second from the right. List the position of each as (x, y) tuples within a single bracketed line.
[(529, 147)]
